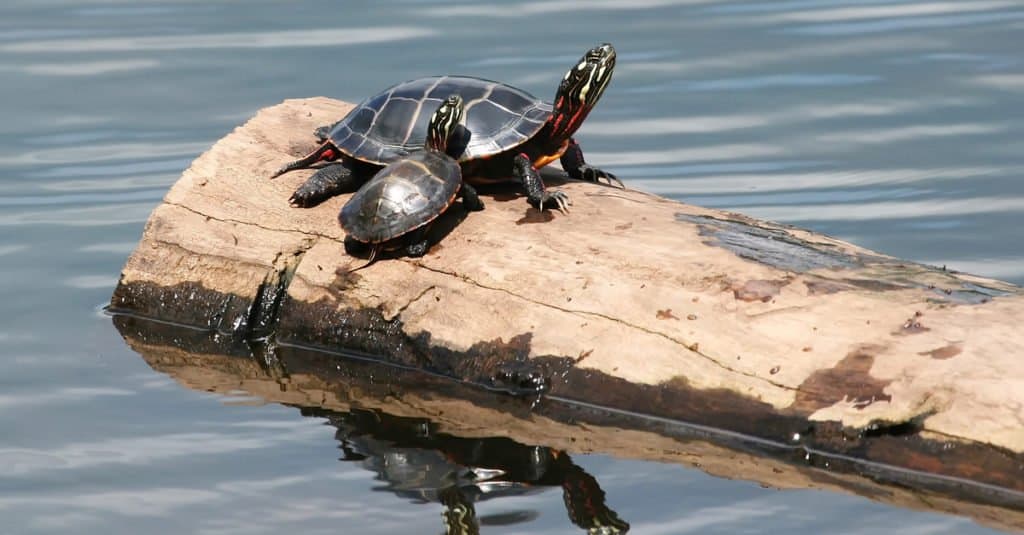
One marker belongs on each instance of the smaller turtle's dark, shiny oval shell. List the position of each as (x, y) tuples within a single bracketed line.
[(402, 197)]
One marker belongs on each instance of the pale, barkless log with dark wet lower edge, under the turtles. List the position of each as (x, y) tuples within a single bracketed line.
[(631, 303)]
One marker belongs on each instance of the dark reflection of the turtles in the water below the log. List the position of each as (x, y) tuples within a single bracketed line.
[(419, 464)]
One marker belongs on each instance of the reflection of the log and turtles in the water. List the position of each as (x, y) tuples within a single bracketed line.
[(436, 440)]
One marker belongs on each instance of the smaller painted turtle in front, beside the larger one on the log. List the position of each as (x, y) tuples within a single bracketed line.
[(394, 211)]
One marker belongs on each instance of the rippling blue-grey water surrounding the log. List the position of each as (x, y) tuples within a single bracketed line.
[(895, 126)]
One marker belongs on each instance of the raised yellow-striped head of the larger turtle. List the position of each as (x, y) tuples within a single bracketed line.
[(582, 89)]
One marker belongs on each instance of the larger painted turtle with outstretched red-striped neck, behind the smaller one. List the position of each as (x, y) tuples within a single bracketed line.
[(502, 122)]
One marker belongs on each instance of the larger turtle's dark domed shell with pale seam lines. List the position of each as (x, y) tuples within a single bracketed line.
[(394, 124)]
